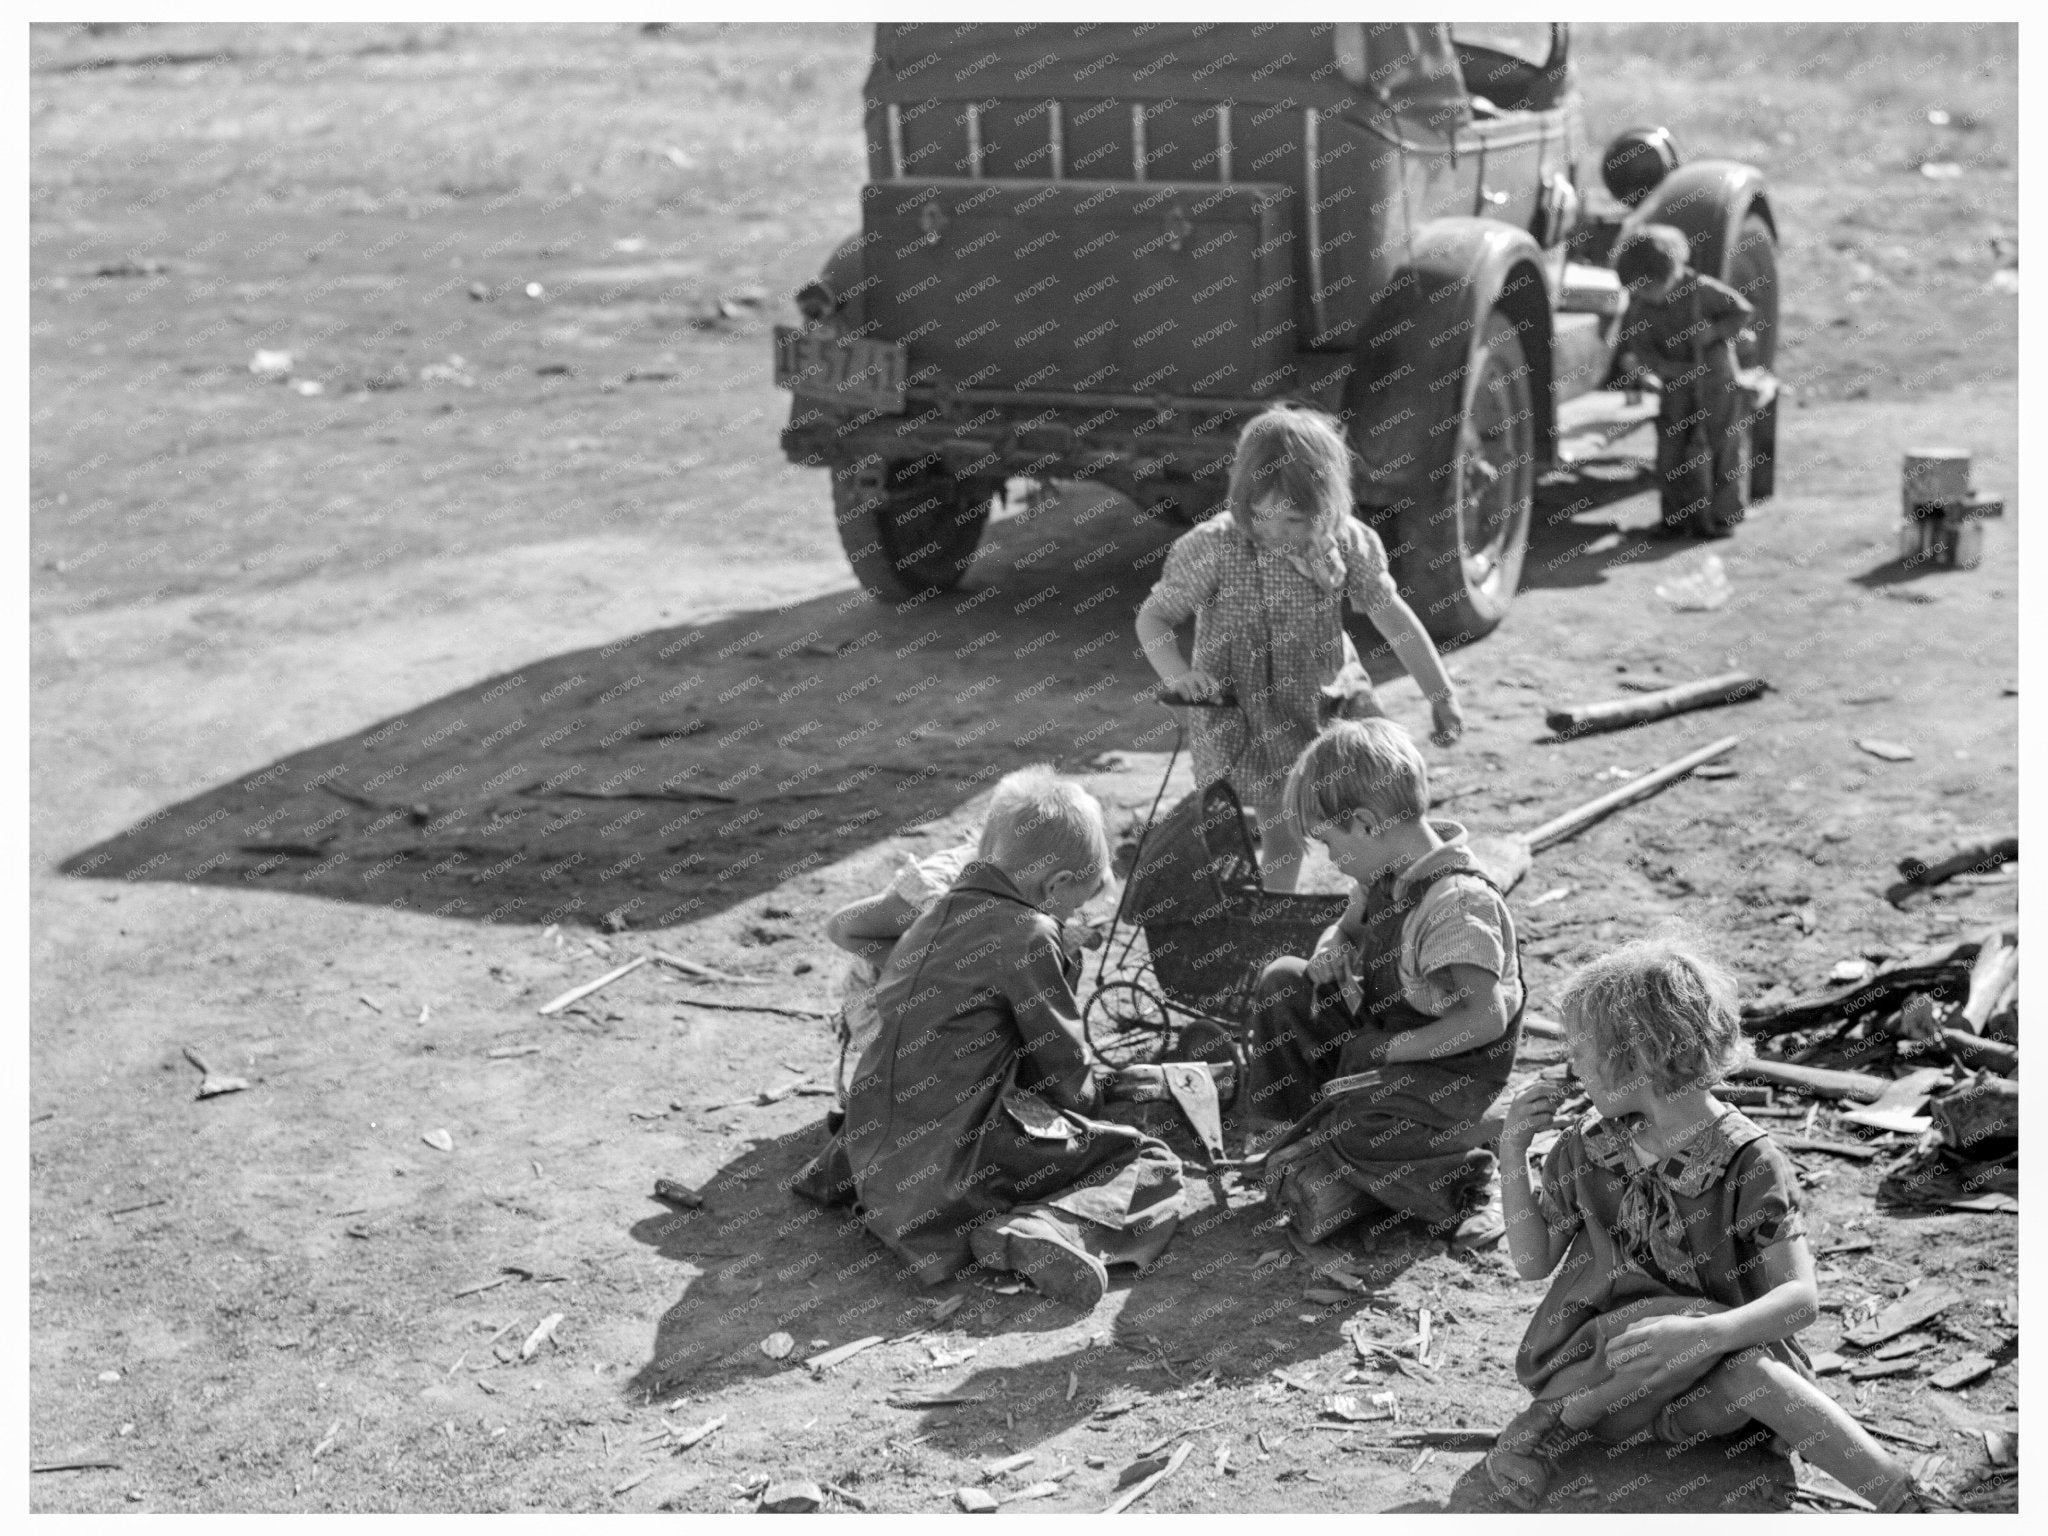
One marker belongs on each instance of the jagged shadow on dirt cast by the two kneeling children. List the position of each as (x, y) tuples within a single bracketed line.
[(1226, 1299)]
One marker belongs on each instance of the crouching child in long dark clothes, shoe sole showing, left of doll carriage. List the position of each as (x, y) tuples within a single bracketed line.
[(970, 1136)]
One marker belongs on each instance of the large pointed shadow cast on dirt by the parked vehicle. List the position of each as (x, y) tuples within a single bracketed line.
[(677, 773)]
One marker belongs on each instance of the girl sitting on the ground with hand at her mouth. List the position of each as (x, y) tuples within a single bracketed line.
[(1687, 1273)]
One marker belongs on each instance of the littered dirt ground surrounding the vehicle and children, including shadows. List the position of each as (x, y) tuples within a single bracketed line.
[(357, 716)]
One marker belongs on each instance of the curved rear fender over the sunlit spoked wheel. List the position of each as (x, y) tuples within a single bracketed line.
[(1408, 374)]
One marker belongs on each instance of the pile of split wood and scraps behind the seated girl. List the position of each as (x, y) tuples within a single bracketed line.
[(1920, 1058)]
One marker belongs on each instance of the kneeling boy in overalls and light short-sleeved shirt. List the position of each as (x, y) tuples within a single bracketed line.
[(1392, 1043)]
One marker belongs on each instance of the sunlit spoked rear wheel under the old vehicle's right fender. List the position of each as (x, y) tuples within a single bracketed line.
[(1461, 556)]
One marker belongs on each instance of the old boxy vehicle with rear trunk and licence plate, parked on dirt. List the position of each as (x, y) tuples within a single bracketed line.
[(1095, 251)]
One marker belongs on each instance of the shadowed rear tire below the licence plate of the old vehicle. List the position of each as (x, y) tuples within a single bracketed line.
[(910, 534)]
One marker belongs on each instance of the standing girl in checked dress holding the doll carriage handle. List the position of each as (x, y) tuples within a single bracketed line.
[(1265, 583)]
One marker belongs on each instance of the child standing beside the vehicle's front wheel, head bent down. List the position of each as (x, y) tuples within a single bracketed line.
[(1680, 327)]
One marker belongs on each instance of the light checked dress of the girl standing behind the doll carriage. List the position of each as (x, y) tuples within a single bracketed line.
[(1271, 626)]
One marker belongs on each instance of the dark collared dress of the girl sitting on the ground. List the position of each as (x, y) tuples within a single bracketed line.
[(1693, 1226)]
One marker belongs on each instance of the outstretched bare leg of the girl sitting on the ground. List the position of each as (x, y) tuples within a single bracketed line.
[(1754, 1385)]
